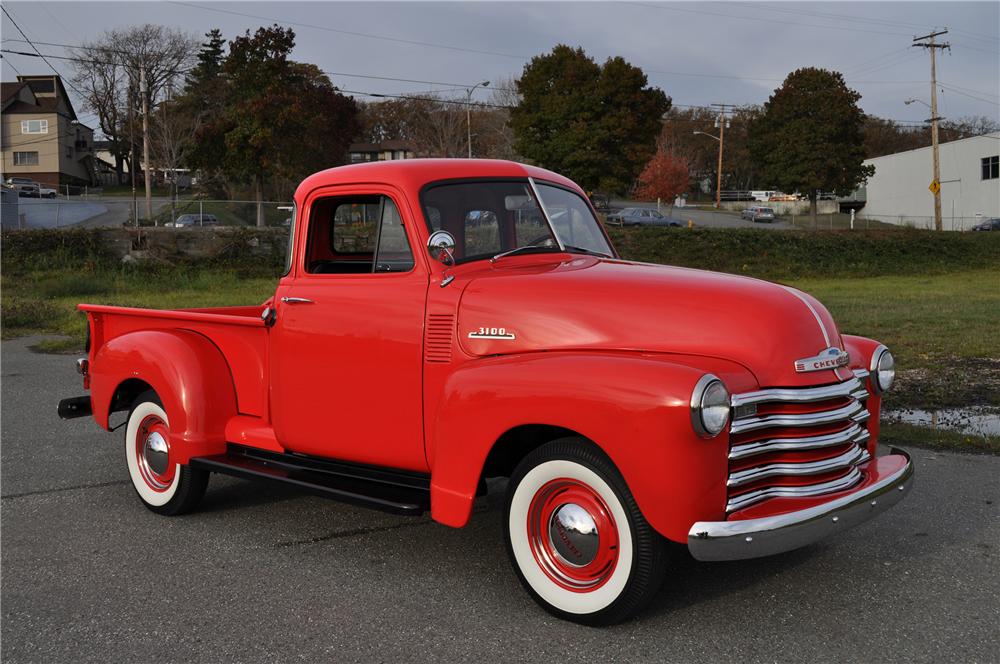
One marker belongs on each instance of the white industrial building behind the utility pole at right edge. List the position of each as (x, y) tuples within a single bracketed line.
[(970, 185)]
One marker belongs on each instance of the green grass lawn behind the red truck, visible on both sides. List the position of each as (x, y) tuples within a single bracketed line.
[(935, 303)]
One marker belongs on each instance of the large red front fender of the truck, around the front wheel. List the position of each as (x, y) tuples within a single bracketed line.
[(635, 407)]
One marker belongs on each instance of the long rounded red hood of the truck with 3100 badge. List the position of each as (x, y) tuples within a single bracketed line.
[(606, 304)]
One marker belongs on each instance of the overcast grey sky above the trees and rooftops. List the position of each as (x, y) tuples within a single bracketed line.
[(698, 53)]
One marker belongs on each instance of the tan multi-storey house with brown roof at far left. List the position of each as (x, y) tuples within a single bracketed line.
[(42, 138)]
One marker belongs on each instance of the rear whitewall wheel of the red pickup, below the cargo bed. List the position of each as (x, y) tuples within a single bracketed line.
[(164, 486)]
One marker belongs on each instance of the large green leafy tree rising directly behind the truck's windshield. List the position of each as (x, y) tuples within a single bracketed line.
[(594, 123)]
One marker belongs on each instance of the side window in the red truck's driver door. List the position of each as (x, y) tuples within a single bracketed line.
[(356, 235)]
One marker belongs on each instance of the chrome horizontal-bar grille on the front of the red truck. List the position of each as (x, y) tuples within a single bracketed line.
[(797, 442)]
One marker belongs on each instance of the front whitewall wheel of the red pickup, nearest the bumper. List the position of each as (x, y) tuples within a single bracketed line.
[(576, 537)]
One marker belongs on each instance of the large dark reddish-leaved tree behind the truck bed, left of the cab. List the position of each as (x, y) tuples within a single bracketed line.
[(279, 119)]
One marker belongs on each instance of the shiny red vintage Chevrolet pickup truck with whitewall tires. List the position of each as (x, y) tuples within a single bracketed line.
[(441, 322)]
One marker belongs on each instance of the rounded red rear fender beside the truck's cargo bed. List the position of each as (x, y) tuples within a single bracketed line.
[(187, 371)]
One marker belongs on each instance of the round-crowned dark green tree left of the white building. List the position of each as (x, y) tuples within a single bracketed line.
[(810, 136)]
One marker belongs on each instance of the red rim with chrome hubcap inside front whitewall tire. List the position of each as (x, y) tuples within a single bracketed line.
[(573, 535)]
